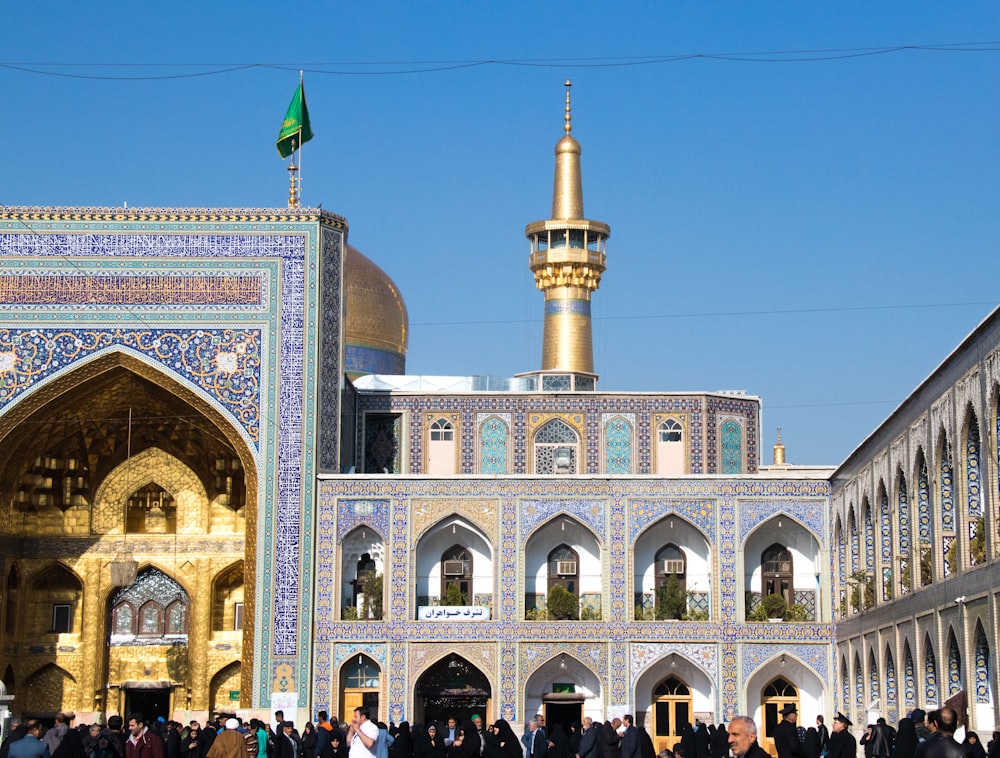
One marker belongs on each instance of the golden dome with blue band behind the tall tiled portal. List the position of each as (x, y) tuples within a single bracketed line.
[(377, 328)]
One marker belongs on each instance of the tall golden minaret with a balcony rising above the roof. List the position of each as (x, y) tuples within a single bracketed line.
[(567, 259)]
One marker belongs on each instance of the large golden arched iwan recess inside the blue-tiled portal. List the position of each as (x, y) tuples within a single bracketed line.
[(110, 459)]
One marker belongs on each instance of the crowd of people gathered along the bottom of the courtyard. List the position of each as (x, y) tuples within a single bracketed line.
[(919, 735)]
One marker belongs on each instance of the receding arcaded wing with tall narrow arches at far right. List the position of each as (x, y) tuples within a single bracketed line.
[(915, 525)]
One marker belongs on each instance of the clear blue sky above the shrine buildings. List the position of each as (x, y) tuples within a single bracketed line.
[(821, 233)]
